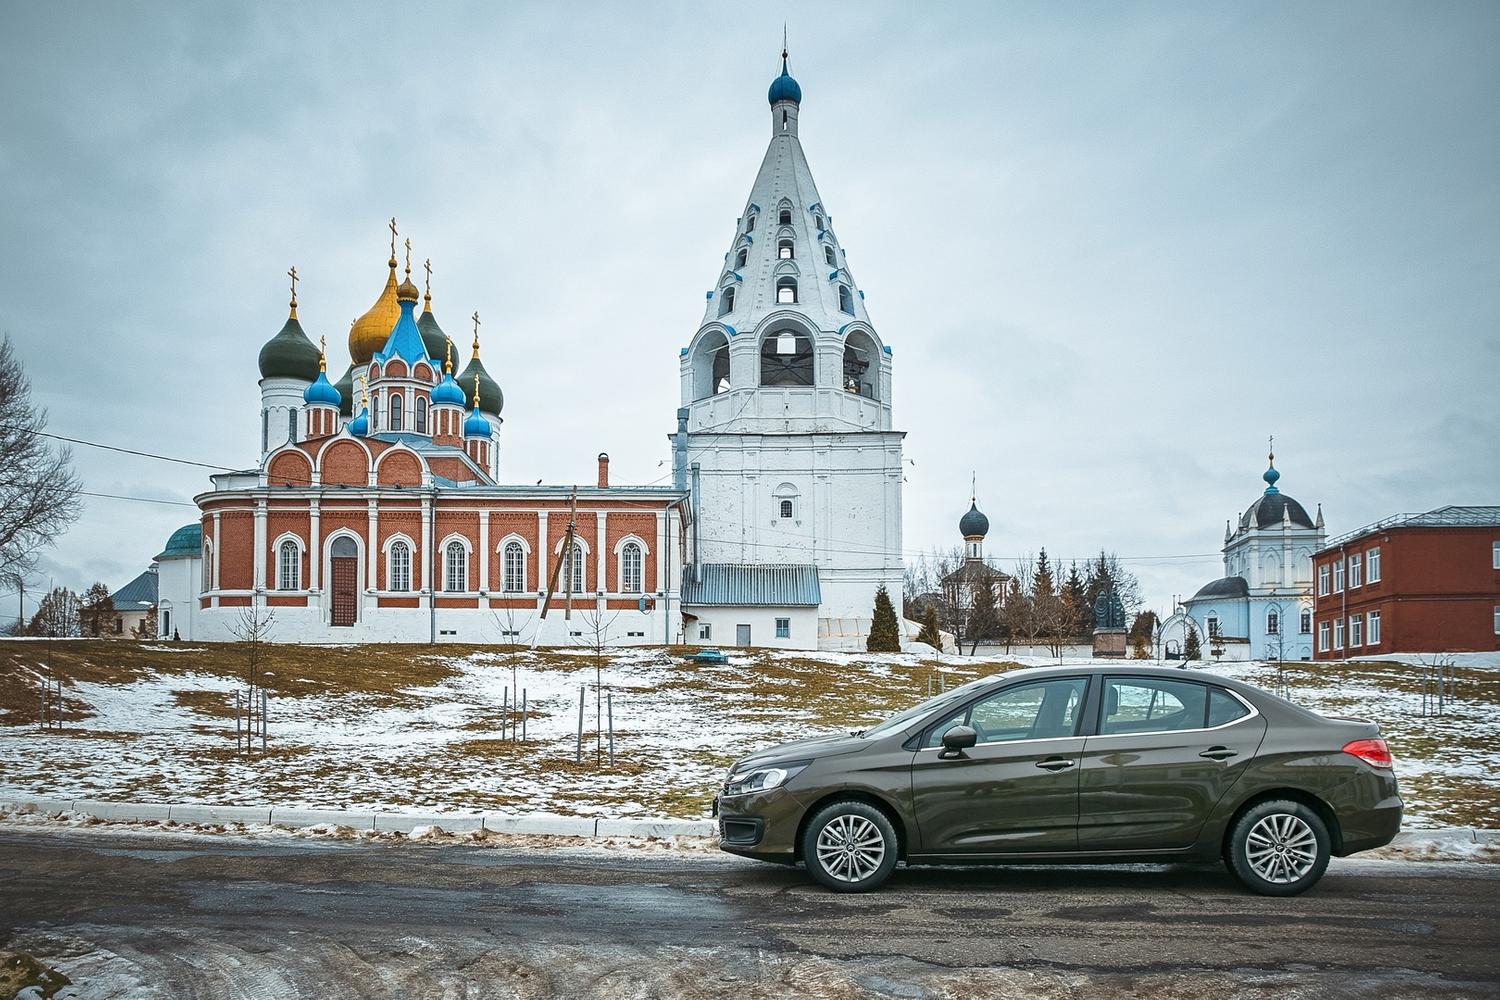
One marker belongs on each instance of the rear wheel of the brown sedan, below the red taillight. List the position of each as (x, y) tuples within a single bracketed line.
[(1279, 849)]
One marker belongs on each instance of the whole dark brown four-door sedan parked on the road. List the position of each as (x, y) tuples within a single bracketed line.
[(1096, 764)]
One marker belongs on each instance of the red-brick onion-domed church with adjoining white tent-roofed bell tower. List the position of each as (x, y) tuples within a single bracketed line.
[(380, 512)]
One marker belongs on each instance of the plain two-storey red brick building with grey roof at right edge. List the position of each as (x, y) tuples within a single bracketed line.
[(1411, 584)]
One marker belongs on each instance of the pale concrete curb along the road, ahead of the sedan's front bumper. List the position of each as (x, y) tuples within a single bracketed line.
[(535, 824)]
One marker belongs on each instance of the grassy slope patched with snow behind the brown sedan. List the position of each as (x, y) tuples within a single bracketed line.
[(163, 729)]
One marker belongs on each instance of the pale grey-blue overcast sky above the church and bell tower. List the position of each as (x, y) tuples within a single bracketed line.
[(1114, 247)]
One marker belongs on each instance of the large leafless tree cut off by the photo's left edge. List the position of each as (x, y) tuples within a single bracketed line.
[(38, 487)]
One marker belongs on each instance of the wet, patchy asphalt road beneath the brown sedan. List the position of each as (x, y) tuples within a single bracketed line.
[(221, 917)]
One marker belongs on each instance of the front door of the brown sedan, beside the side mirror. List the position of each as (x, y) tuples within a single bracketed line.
[(1016, 791)]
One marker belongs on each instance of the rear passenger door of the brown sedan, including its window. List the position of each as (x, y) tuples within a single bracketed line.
[(1163, 755)]
